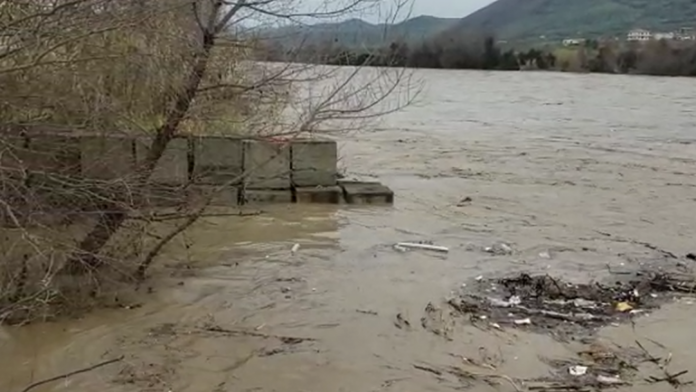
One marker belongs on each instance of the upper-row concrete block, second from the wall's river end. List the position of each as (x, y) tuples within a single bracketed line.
[(267, 165)]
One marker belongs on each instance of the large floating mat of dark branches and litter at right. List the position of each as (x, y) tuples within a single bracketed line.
[(547, 304)]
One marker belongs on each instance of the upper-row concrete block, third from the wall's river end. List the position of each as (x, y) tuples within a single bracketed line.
[(217, 160)]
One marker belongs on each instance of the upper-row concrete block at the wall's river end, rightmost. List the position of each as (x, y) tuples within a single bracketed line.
[(314, 162)]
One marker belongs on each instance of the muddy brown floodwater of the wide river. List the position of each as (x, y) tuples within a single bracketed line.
[(552, 163)]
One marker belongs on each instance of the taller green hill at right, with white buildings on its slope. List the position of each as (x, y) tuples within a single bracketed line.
[(558, 19)]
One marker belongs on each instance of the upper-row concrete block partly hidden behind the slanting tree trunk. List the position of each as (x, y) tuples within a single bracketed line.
[(173, 166)]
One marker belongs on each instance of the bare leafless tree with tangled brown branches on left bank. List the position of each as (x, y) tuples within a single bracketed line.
[(151, 68)]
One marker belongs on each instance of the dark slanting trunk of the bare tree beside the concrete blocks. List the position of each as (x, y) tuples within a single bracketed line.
[(86, 256)]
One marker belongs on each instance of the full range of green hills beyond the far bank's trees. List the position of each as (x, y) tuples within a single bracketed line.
[(517, 21)]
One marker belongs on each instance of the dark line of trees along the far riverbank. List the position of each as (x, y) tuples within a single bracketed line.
[(668, 58)]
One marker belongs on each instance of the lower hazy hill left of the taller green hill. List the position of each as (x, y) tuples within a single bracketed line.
[(356, 32)]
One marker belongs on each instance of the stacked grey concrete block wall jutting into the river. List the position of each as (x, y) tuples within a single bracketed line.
[(250, 170)]
